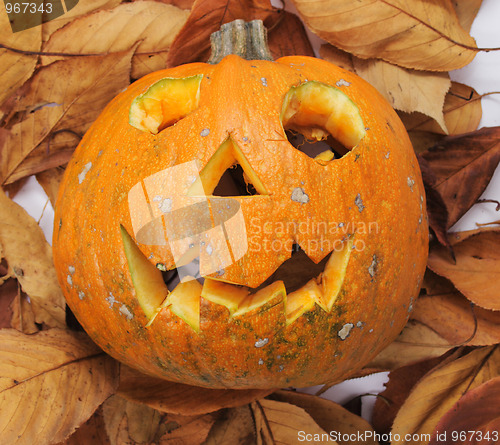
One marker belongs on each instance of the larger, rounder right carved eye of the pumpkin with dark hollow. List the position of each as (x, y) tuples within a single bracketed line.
[(320, 112)]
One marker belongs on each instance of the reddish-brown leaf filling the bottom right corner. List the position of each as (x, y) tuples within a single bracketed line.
[(472, 417)]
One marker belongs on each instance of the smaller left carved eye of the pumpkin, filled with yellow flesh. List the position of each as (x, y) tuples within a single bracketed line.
[(164, 103)]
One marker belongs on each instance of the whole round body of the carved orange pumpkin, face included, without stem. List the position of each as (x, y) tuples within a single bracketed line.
[(142, 198)]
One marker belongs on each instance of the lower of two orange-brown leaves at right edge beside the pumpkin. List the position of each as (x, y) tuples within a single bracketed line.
[(451, 315)]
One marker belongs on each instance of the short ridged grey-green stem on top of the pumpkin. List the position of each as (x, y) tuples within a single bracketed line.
[(245, 39)]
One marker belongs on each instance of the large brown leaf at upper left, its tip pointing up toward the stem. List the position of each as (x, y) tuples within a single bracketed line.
[(47, 104)]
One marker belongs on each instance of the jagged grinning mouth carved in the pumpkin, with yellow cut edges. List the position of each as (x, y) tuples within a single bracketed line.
[(184, 299)]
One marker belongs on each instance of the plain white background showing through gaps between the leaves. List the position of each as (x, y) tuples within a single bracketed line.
[(483, 74)]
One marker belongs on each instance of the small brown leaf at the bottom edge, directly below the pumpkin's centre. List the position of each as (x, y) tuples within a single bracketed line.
[(234, 426)]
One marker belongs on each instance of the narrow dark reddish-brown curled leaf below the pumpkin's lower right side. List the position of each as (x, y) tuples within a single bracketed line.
[(399, 385)]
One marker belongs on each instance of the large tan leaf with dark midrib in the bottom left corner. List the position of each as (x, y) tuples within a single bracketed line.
[(51, 382)]
